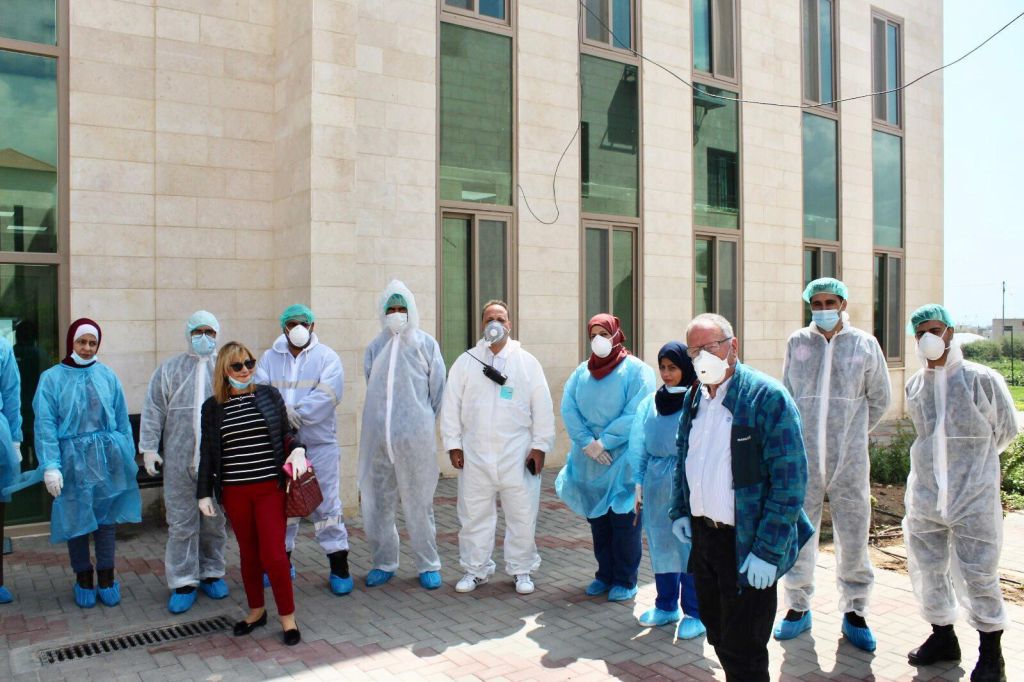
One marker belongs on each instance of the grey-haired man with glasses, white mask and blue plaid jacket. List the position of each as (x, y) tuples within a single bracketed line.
[(739, 496)]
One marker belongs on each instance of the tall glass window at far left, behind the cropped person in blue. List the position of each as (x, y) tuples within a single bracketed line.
[(33, 208)]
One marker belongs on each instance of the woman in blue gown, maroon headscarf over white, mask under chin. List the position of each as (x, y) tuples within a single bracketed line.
[(86, 448)]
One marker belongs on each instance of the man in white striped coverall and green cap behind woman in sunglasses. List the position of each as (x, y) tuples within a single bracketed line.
[(311, 379)]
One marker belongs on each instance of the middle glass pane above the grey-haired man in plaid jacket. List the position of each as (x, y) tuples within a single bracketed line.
[(716, 159)]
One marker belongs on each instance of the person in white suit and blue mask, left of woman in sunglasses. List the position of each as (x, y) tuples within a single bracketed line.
[(170, 424)]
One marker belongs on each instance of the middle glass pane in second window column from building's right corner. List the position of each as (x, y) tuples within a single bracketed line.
[(821, 179)]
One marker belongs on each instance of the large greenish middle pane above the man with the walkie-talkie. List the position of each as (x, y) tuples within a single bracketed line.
[(476, 116)]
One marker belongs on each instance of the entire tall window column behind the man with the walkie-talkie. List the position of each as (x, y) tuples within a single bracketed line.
[(477, 240)]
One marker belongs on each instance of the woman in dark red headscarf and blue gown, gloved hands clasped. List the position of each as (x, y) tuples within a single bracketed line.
[(600, 403)]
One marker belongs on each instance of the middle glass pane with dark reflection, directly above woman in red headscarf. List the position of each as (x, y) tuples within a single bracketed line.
[(610, 149)]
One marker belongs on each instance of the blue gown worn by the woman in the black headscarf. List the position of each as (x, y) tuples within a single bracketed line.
[(654, 455)]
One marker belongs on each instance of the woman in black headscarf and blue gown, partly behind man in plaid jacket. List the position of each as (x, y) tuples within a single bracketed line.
[(654, 456)]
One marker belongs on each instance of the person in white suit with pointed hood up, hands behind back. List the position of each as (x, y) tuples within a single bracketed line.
[(405, 373)]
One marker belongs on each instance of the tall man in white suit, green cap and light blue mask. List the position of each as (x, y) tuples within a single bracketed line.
[(839, 379)]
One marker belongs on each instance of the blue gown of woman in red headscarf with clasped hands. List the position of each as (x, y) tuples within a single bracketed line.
[(602, 410)]
